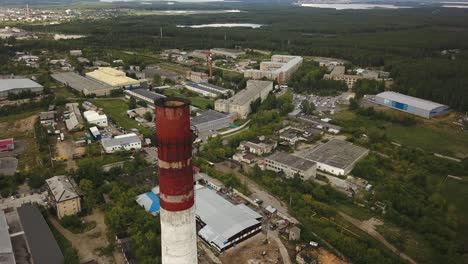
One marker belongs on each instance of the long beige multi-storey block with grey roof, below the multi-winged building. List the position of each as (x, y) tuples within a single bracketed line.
[(239, 104)]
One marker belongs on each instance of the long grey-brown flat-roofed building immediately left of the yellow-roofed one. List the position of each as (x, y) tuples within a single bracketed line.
[(82, 84)]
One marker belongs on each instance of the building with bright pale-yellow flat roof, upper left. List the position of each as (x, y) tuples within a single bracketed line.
[(112, 77)]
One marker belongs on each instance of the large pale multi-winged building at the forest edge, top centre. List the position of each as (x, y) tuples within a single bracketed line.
[(280, 68)]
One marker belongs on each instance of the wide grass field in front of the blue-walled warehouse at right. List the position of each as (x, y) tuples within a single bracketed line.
[(432, 138)]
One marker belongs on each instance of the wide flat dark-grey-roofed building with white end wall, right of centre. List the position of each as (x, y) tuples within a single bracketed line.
[(337, 157)]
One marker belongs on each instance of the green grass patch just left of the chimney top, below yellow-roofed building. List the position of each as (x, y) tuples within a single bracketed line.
[(117, 110)]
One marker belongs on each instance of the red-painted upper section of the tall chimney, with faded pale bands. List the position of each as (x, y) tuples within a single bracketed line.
[(174, 140)]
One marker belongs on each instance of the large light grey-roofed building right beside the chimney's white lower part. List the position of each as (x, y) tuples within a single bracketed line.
[(223, 224)]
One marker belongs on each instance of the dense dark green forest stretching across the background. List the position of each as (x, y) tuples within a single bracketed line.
[(407, 42)]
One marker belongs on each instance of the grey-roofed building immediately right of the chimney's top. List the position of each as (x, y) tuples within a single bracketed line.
[(210, 120)]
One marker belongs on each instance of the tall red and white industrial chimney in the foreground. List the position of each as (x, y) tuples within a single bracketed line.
[(178, 230)]
